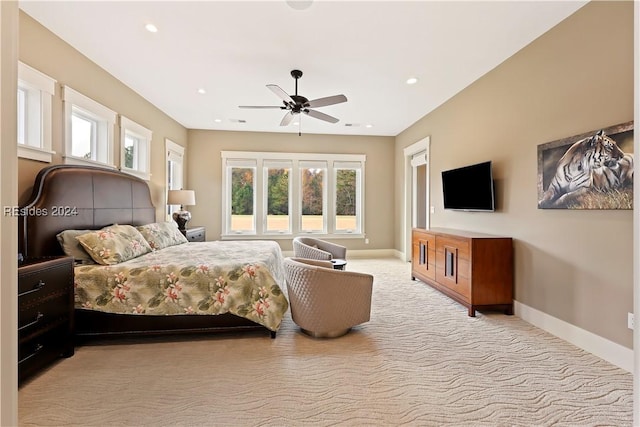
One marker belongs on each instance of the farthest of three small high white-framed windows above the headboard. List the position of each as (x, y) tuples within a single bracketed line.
[(135, 141)]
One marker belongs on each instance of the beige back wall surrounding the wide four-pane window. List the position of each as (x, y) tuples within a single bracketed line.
[(205, 175)]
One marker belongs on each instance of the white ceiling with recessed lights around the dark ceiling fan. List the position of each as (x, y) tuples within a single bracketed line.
[(365, 50)]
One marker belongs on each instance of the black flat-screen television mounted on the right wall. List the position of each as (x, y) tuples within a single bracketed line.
[(469, 188)]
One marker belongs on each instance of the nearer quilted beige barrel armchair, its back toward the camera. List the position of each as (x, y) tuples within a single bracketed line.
[(324, 302)]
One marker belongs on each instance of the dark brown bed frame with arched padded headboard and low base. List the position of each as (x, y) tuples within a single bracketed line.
[(66, 197)]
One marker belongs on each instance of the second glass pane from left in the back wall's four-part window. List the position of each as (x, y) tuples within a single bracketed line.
[(278, 199)]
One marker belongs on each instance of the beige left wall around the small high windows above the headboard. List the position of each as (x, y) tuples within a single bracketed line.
[(44, 51)]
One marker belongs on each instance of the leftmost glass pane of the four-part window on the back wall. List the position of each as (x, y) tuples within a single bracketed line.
[(242, 199)]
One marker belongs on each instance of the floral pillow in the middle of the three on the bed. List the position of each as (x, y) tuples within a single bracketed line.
[(114, 244)]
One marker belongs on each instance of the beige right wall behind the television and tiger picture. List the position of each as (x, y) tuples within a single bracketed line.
[(573, 265)]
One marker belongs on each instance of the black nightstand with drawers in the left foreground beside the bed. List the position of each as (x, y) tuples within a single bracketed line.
[(45, 313)]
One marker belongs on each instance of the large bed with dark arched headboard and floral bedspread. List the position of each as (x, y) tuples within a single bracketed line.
[(189, 287)]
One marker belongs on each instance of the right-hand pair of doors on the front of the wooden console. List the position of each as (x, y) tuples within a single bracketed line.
[(452, 265)]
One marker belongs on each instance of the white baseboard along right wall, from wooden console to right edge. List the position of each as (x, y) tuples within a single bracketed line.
[(610, 351)]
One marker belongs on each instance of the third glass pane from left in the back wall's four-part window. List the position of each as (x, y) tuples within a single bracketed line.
[(312, 218)]
